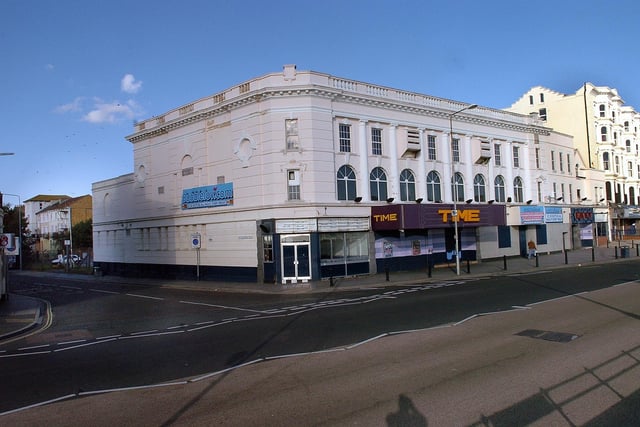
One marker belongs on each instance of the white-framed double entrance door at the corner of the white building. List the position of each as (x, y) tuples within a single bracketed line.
[(296, 249)]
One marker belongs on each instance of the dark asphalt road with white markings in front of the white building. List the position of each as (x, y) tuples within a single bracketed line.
[(108, 338)]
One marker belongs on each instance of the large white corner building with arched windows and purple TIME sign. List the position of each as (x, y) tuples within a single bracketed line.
[(298, 176)]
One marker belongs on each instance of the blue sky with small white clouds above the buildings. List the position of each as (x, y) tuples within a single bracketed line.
[(76, 74)]
